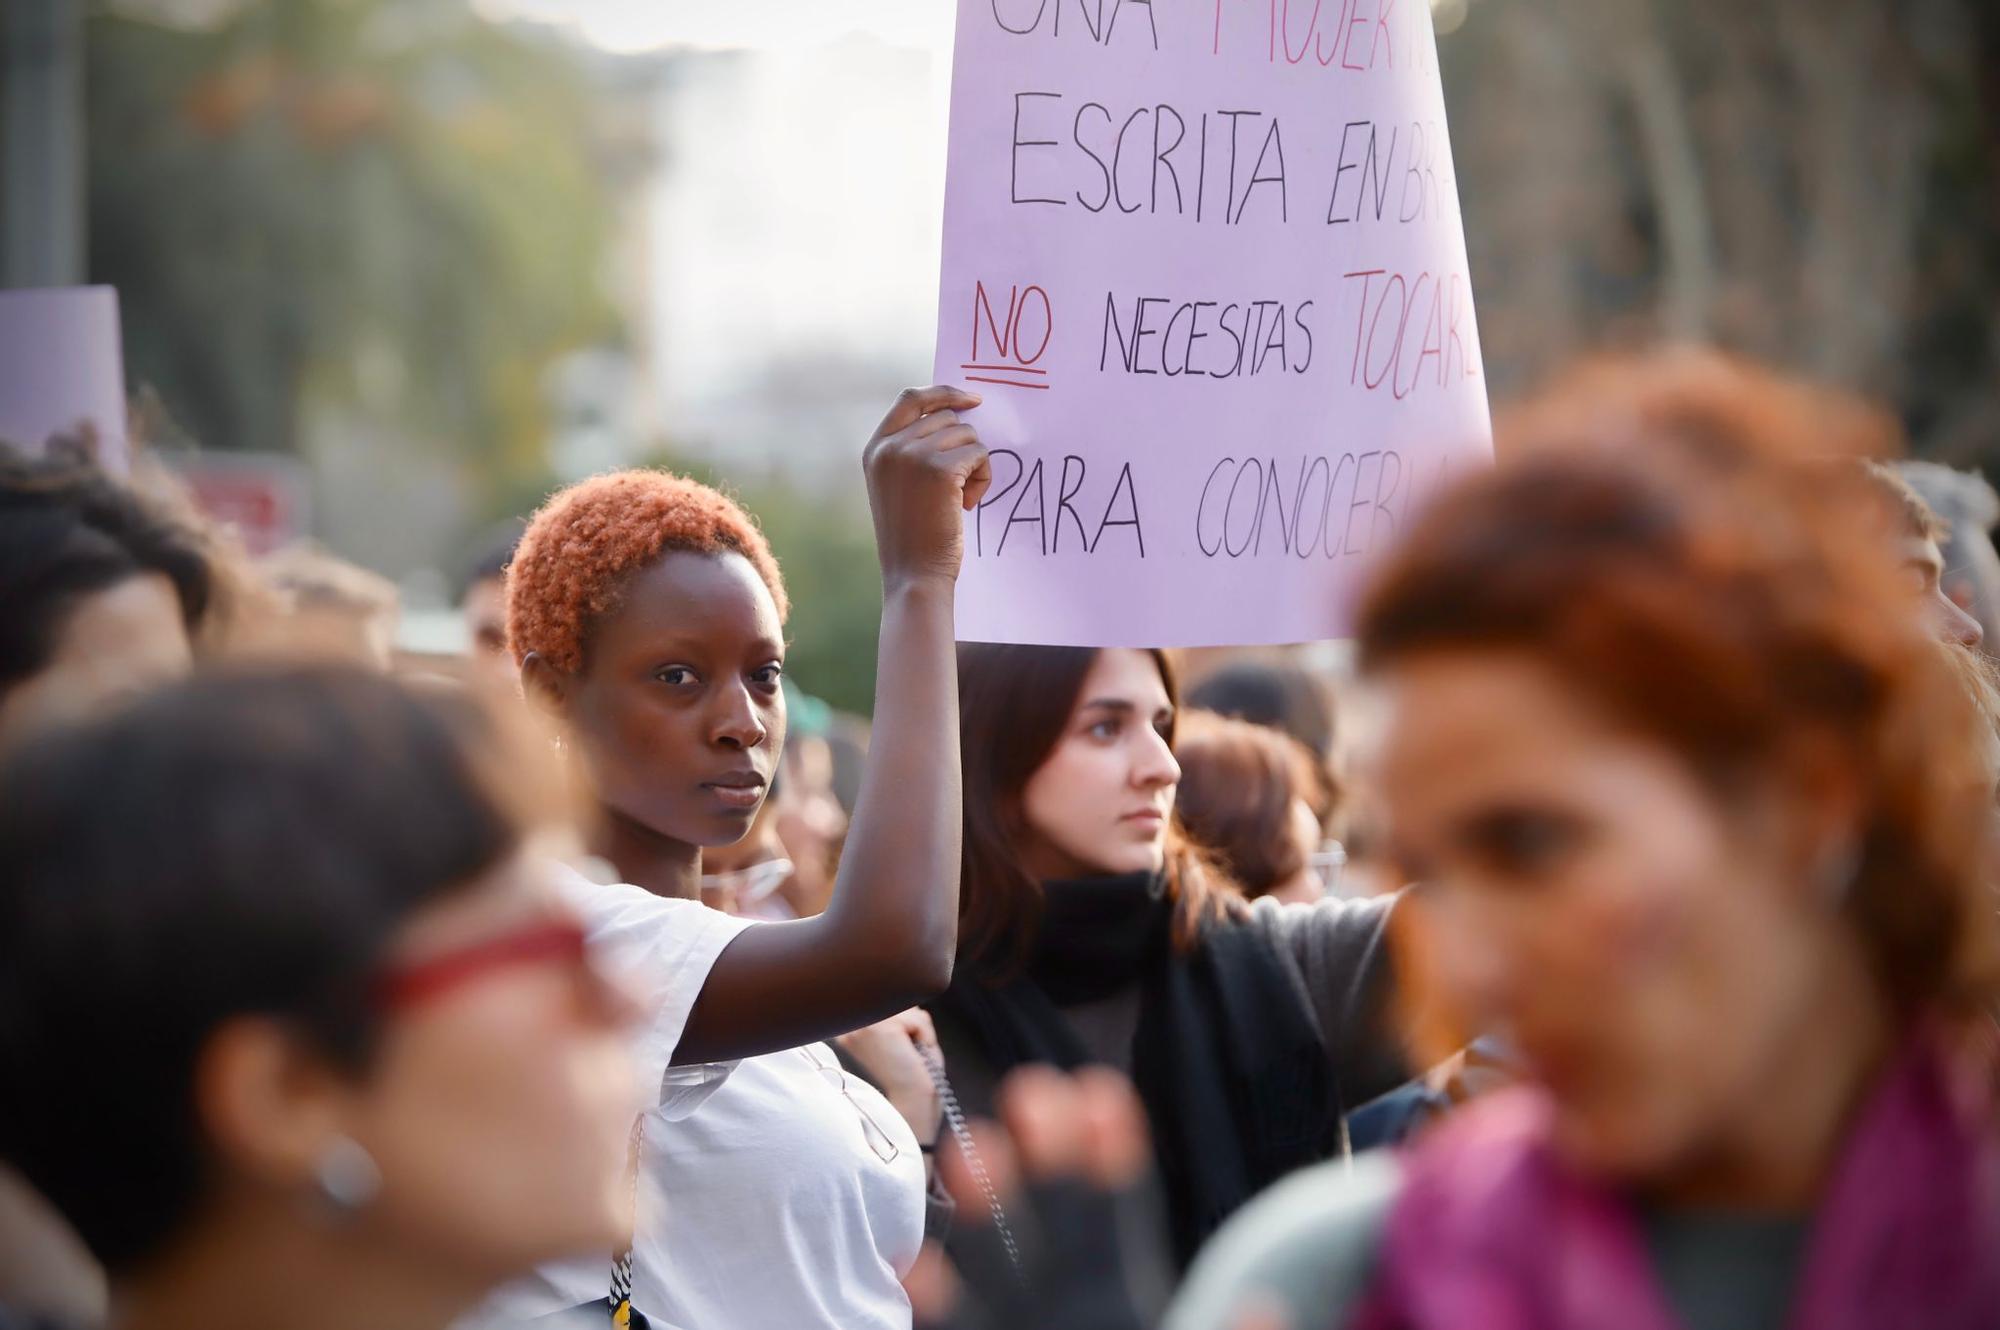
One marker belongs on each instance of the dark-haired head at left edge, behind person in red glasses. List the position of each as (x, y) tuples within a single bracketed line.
[(101, 593)]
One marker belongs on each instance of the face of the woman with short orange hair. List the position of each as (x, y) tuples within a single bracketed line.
[(677, 709)]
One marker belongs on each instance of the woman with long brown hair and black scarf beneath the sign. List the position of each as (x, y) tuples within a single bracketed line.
[(1095, 933)]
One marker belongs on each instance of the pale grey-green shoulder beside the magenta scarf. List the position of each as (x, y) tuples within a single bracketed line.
[(1305, 1249)]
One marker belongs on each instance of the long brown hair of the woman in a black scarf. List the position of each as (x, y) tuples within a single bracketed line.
[(1013, 707)]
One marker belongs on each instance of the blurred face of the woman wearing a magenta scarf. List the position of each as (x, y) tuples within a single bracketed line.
[(1649, 953)]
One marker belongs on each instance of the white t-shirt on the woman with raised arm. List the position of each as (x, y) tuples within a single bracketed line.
[(773, 1207)]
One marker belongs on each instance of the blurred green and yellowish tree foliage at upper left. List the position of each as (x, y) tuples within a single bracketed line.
[(389, 209)]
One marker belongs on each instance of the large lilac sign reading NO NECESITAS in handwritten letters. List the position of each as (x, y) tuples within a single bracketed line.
[(1205, 263)]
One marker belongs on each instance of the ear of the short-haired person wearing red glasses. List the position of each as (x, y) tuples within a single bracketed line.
[(269, 1105)]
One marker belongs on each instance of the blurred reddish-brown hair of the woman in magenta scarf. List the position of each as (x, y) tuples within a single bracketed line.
[(1651, 541)]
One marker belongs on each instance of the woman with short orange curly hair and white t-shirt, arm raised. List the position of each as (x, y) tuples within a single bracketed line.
[(647, 615)]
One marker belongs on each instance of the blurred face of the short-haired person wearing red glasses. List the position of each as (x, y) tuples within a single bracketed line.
[(499, 1103)]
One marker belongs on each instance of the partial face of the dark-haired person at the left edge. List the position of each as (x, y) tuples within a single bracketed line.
[(115, 643)]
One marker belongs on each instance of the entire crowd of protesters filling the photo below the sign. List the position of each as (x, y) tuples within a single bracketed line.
[(1613, 945)]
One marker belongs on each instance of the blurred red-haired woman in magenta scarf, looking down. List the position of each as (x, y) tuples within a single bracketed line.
[(1697, 815)]
